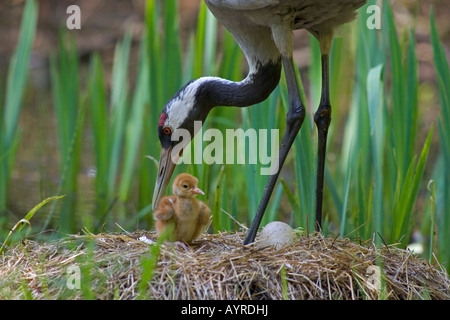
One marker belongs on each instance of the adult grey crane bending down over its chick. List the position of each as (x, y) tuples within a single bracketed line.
[(264, 31)]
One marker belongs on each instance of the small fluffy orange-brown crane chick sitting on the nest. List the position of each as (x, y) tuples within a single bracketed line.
[(188, 215)]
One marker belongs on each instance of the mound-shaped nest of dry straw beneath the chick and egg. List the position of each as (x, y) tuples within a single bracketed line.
[(120, 266)]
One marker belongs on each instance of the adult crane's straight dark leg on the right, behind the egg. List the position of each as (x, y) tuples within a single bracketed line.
[(322, 118)]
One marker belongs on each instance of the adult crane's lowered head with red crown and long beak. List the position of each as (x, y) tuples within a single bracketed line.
[(176, 128)]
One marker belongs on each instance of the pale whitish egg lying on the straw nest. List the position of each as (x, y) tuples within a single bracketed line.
[(277, 234)]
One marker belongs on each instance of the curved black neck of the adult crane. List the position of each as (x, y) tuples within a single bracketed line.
[(255, 88)]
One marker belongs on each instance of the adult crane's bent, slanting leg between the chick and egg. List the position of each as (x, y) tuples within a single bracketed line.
[(294, 121)]
